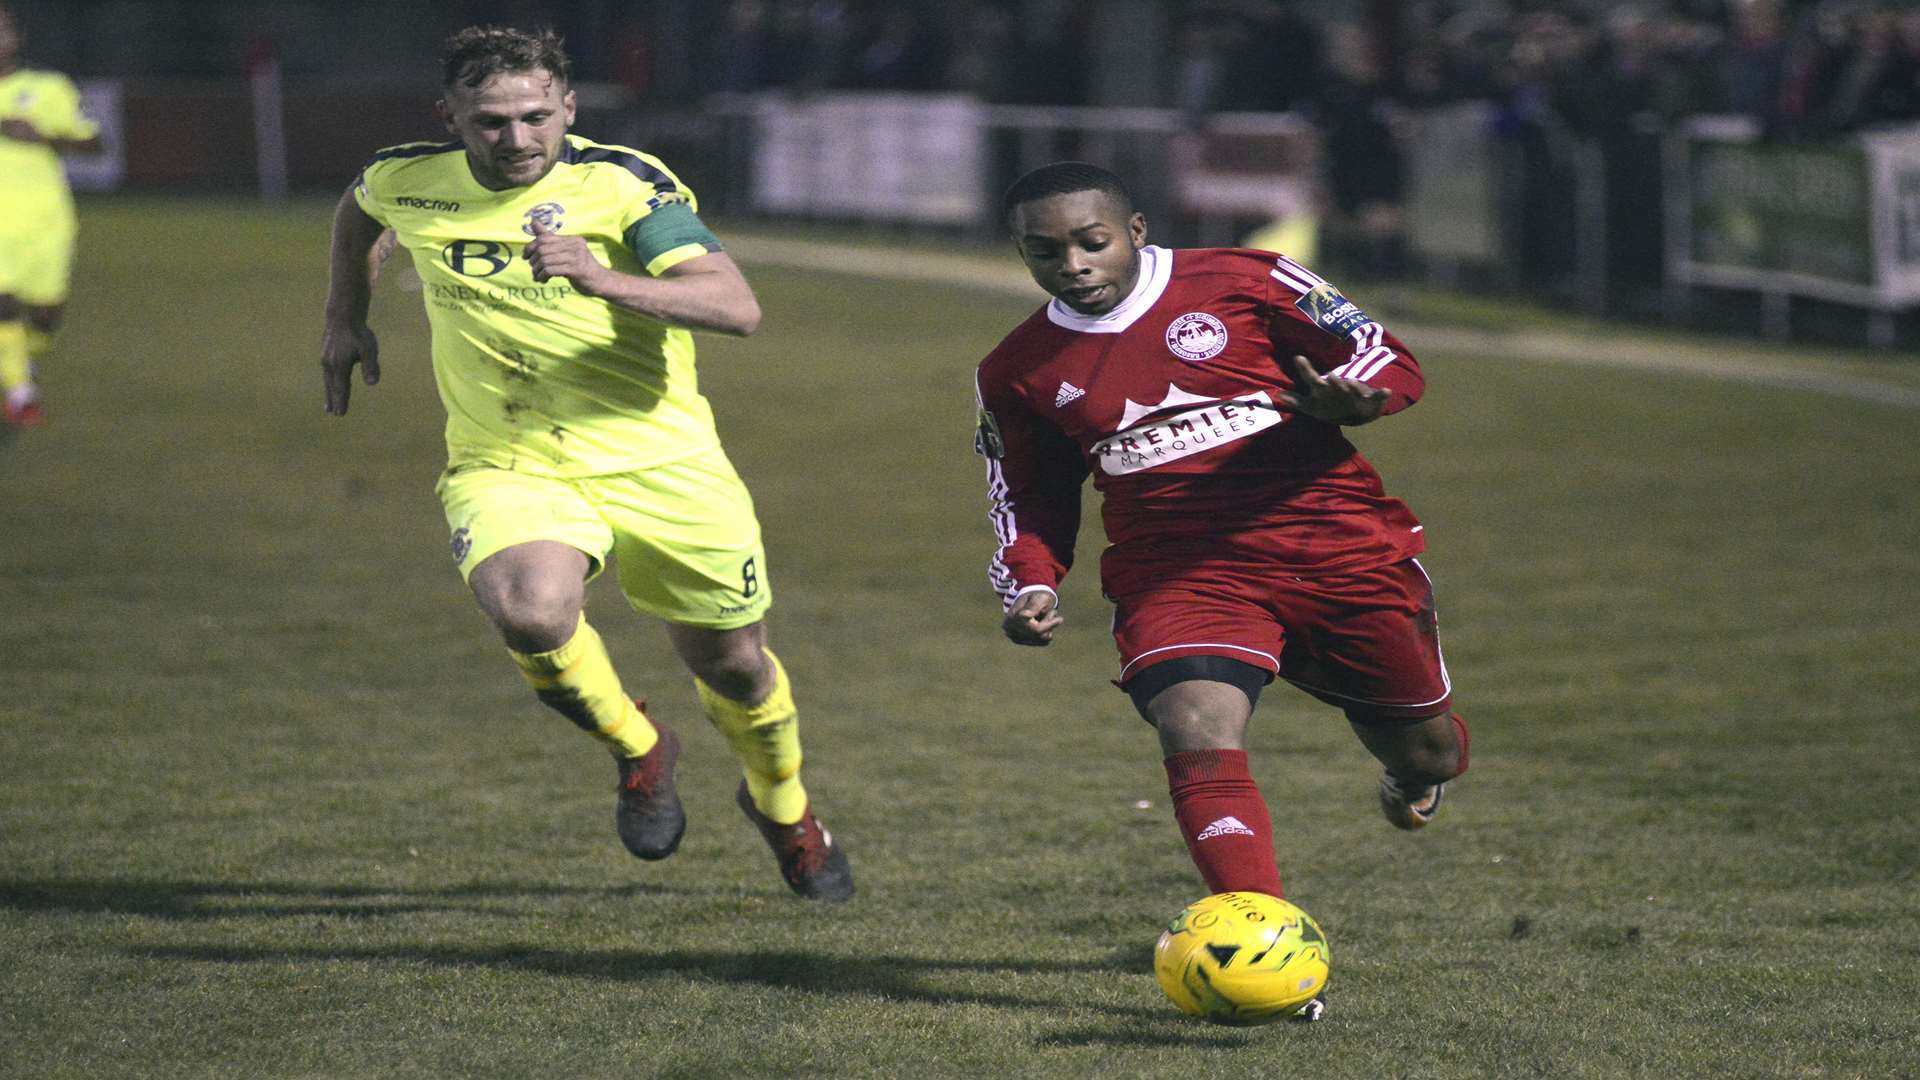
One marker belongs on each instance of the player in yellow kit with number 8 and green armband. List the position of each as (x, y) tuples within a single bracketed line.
[(564, 282)]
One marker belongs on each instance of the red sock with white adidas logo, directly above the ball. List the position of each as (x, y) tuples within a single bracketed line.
[(1224, 822)]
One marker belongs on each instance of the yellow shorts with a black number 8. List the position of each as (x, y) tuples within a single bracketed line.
[(684, 539)]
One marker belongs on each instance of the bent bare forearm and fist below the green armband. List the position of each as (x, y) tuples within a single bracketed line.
[(706, 293)]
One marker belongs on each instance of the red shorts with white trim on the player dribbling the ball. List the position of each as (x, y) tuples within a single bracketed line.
[(1368, 643)]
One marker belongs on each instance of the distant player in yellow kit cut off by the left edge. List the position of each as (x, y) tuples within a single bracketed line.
[(39, 122)]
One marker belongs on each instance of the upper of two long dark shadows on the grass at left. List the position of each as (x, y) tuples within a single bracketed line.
[(197, 900)]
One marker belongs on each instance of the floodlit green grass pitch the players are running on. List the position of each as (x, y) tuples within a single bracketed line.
[(277, 804)]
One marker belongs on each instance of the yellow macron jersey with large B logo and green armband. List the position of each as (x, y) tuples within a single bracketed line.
[(535, 376)]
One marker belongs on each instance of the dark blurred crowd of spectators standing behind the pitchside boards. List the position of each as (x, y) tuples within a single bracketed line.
[(1600, 74)]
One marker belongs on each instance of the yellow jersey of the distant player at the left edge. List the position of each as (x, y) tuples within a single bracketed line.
[(34, 187)]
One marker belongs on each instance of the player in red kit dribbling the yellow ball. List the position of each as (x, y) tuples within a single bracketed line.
[(1207, 393)]
